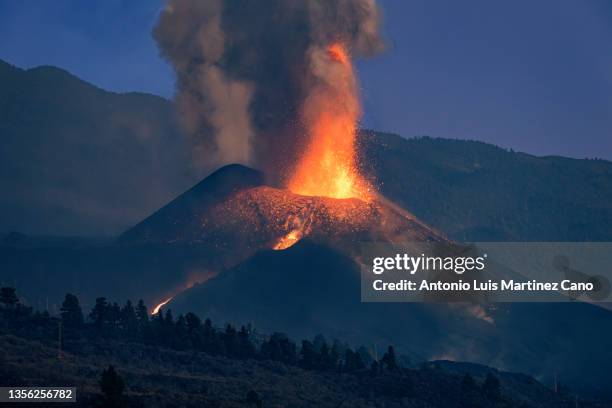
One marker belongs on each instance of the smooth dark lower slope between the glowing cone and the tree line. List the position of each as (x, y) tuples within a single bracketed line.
[(309, 289)]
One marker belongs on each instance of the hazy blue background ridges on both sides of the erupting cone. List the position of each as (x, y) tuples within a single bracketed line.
[(75, 159)]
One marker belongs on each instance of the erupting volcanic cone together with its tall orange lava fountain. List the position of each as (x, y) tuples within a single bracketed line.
[(325, 197)]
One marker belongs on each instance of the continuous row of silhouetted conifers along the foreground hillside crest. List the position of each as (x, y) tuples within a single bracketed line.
[(188, 332)]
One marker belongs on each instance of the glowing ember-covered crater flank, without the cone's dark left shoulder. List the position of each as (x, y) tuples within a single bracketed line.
[(278, 218)]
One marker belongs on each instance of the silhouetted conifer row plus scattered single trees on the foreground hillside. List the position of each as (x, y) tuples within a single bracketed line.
[(133, 322)]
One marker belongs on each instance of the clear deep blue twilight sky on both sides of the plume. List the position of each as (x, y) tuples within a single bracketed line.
[(535, 76)]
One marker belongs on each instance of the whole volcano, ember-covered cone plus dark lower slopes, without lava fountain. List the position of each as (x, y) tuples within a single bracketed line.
[(288, 264)]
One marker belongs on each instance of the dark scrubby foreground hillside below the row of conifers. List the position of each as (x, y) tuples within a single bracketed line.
[(167, 378)]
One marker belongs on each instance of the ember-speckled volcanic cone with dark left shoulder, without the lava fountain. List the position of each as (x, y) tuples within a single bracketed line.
[(237, 211)]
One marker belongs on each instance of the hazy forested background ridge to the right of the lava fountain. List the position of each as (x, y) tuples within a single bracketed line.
[(478, 192)]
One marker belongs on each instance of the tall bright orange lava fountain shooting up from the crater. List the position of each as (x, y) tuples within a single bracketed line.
[(328, 166)]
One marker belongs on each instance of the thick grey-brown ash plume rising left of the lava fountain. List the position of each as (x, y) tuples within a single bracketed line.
[(244, 70)]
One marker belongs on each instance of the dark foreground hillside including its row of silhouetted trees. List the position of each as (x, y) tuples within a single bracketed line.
[(244, 365)]
